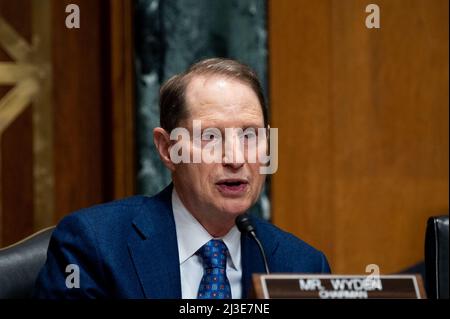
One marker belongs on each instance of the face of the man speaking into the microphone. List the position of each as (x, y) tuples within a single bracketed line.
[(223, 189)]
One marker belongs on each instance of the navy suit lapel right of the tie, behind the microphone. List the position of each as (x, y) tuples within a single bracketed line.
[(252, 261)]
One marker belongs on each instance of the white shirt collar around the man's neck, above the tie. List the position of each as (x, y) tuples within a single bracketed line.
[(191, 235)]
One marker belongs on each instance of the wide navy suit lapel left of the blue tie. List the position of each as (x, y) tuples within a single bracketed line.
[(154, 250)]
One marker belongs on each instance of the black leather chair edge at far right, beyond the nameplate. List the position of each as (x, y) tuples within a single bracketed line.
[(436, 257)]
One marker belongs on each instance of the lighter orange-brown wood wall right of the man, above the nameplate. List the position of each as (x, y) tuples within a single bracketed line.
[(363, 127)]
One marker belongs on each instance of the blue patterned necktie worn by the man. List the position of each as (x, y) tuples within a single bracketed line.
[(214, 284)]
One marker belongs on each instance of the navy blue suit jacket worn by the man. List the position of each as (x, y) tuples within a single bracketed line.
[(128, 249)]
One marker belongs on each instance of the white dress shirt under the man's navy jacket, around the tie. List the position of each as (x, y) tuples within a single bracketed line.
[(190, 237)]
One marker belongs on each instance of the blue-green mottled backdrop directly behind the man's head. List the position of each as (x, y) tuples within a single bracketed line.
[(170, 35)]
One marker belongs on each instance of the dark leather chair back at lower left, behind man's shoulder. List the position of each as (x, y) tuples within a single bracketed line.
[(20, 264)]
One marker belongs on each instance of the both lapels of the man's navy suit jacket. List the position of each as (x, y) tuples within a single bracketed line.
[(154, 250)]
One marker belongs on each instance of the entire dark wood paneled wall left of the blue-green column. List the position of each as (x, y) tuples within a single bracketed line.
[(92, 113)]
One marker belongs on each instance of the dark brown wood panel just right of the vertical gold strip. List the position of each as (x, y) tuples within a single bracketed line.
[(80, 74)]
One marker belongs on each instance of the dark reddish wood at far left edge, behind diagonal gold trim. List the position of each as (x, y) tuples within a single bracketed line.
[(16, 141)]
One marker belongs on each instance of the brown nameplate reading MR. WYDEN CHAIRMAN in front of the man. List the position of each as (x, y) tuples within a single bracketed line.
[(289, 286)]
